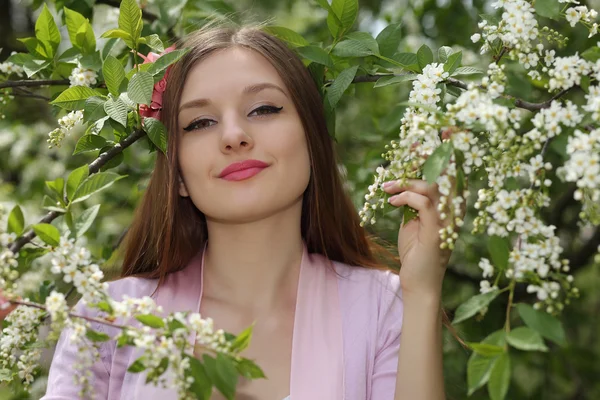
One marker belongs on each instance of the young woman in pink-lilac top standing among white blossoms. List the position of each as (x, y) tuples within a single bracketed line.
[(245, 219)]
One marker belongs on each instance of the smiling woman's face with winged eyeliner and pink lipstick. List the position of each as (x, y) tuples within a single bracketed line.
[(235, 108)]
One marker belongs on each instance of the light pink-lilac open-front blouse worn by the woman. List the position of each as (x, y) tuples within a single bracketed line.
[(345, 341)]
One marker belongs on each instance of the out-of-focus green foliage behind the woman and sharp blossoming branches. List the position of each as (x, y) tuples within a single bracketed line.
[(367, 119)]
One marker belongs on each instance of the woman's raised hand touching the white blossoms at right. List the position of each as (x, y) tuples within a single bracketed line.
[(423, 262)]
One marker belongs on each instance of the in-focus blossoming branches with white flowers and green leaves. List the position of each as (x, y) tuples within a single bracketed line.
[(460, 125)]
